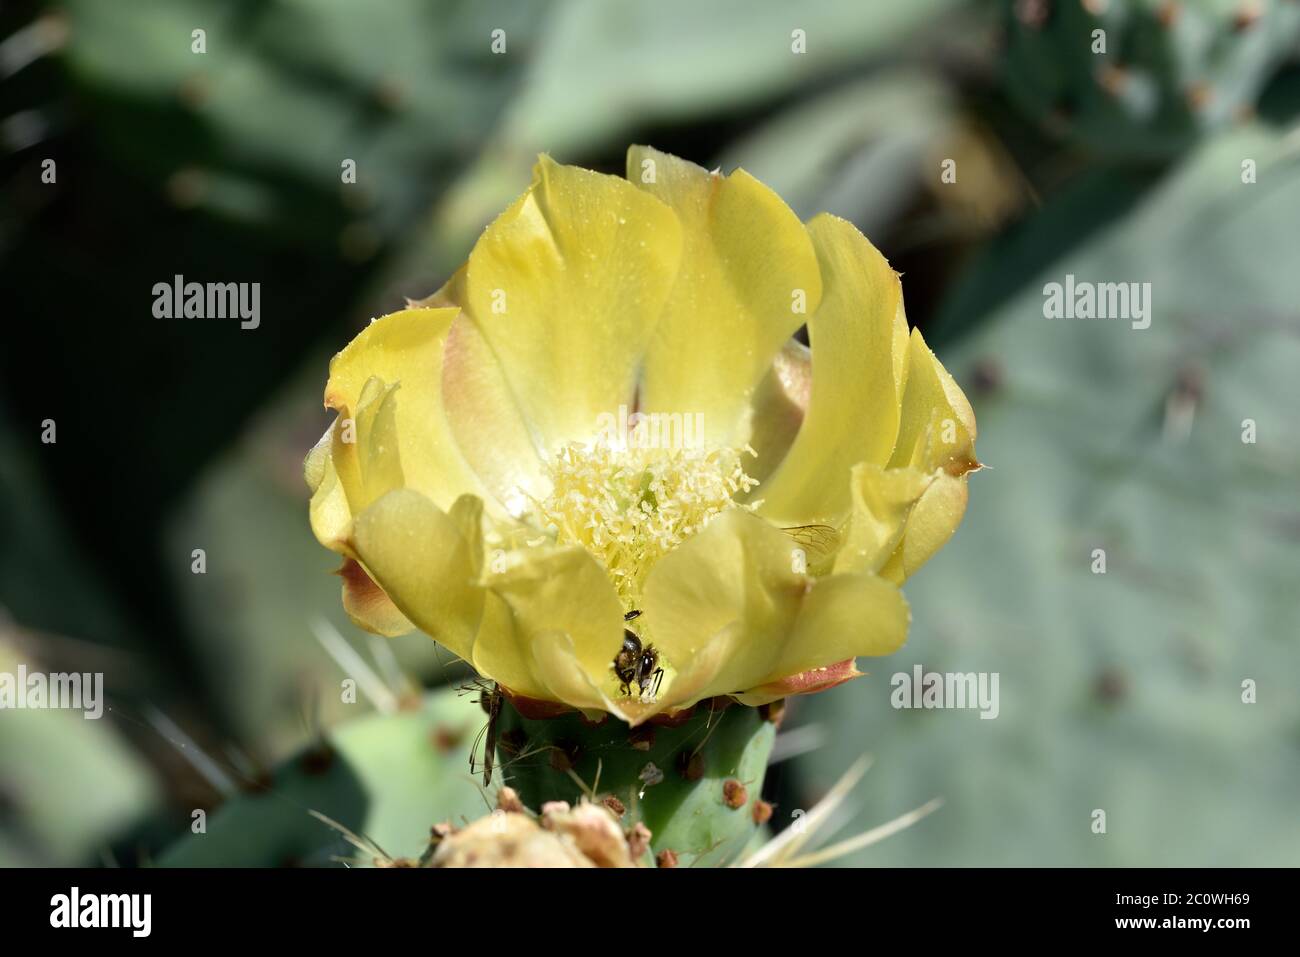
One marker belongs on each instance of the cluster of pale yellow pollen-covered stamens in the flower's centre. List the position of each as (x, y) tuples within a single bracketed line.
[(630, 506)]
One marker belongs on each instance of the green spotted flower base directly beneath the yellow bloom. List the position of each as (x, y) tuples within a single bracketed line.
[(712, 767)]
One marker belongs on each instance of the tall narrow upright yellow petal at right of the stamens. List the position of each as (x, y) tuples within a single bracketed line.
[(859, 337)]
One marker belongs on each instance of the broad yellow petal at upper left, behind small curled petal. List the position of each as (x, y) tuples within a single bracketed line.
[(404, 353)]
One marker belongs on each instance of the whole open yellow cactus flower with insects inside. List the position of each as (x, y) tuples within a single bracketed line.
[(605, 413)]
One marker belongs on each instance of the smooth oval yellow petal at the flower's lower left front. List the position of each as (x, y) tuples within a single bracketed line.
[(418, 556)]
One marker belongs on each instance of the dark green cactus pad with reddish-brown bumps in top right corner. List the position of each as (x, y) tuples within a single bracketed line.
[(1143, 79)]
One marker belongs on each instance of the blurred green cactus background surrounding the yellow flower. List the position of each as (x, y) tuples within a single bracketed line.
[(1119, 692)]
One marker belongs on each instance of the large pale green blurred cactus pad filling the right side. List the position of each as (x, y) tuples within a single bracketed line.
[(1123, 691)]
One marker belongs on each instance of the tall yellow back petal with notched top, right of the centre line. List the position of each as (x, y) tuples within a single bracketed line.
[(747, 267)]
